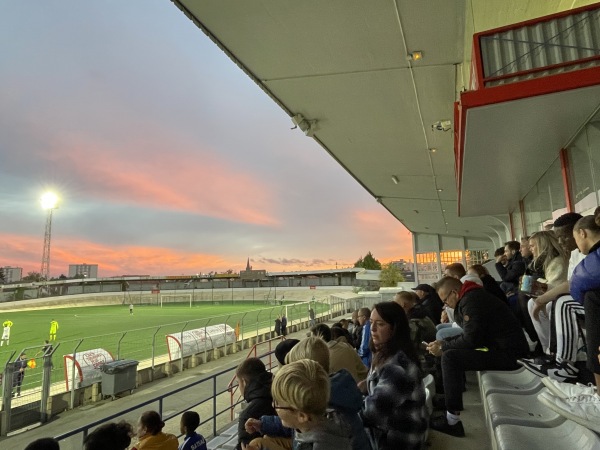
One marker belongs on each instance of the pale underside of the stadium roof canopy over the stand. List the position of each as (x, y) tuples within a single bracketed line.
[(345, 64)]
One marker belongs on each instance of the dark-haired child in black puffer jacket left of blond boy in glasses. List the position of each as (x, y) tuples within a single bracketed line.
[(255, 387)]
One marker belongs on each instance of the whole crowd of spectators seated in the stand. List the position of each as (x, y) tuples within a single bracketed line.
[(359, 384)]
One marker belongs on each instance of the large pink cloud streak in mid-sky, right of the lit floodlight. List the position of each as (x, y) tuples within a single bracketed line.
[(143, 171)]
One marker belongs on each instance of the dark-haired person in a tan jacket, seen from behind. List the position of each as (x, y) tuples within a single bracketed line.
[(341, 354)]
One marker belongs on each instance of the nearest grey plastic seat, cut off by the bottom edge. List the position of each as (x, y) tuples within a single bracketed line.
[(567, 435)]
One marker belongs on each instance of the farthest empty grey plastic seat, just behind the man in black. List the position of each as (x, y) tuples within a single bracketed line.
[(515, 382)]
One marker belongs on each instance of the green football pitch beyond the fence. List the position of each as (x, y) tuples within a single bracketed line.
[(131, 336)]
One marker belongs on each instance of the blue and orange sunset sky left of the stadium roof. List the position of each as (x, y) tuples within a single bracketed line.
[(166, 157)]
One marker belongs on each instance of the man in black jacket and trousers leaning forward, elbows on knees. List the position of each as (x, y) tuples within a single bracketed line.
[(491, 340)]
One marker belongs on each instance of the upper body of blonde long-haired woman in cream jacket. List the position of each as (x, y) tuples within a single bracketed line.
[(550, 260)]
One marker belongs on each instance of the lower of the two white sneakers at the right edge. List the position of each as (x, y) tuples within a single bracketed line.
[(583, 409)]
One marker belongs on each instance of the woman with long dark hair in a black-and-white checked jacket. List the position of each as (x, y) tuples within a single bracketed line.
[(394, 407)]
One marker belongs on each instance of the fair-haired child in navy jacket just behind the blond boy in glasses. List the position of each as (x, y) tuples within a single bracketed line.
[(345, 397)]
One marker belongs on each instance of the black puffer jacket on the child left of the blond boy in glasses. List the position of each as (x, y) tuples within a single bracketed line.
[(260, 403)]
